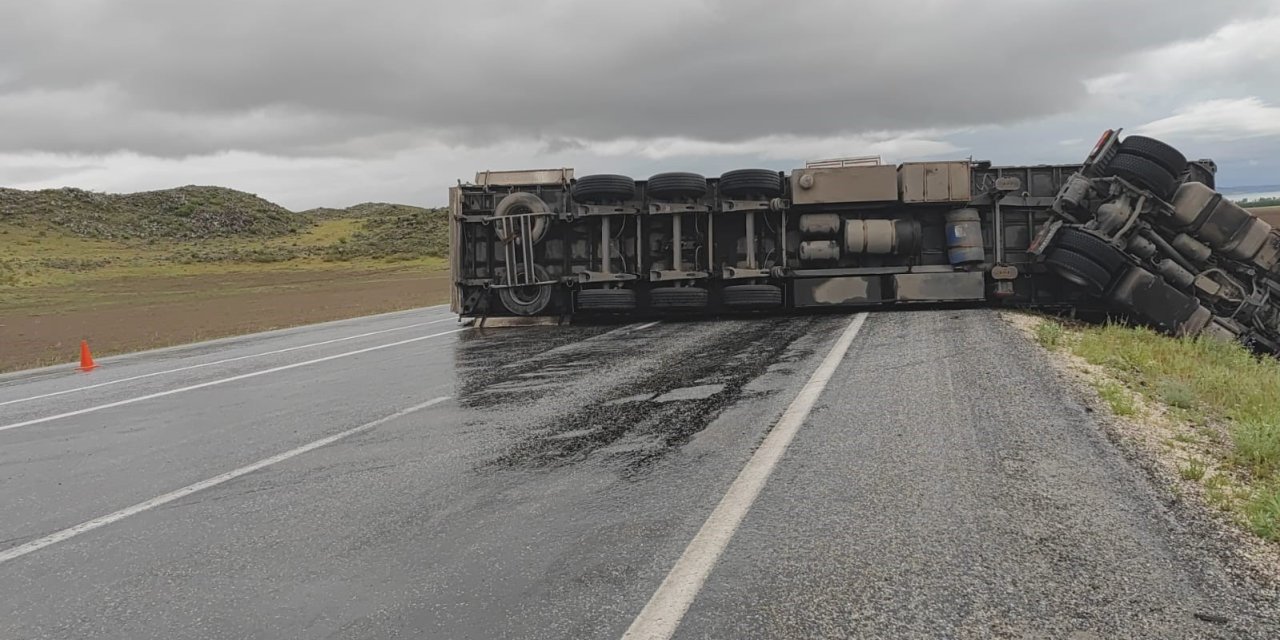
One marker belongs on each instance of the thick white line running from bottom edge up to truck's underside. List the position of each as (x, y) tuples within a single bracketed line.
[(668, 606)]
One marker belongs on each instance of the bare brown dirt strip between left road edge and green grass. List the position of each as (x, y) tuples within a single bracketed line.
[(45, 326)]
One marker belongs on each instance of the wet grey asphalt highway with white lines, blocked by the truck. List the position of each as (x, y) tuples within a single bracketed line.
[(401, 477)]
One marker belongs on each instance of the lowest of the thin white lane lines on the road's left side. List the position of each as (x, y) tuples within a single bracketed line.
[(66, 534)]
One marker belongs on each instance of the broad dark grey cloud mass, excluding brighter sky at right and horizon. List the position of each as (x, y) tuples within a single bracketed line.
[(316, 77)]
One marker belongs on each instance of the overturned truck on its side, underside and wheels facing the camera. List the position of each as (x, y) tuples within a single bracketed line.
[(1136, 231)]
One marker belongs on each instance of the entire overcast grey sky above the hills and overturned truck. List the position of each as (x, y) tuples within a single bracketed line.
[(331, 103)]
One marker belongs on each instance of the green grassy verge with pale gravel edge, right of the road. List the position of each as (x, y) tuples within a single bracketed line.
[(1213, 409)]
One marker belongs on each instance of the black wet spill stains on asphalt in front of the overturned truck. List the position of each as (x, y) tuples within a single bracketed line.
[(616, 397)]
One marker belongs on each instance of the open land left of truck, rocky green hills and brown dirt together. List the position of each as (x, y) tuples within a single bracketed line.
[(153, 269)]
